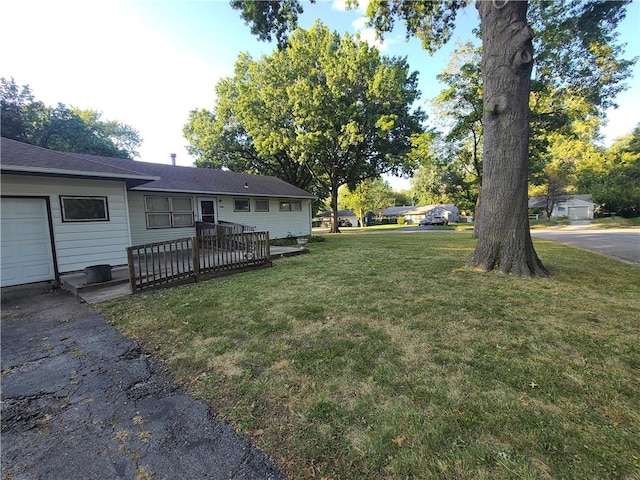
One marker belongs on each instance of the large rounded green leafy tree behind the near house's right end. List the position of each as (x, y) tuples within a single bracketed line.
[(329, 106)]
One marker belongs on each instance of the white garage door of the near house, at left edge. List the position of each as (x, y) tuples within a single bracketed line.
[(26, 255)]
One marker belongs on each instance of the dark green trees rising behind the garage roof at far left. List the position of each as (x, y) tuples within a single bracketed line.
[(62, 128)]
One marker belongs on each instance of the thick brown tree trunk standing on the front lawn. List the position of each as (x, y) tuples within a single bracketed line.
[(504, 241)]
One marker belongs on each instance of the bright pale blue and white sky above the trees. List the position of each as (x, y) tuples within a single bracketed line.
[(148, 63)]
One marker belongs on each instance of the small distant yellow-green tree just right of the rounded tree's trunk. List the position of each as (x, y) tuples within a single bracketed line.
[(373, 195)]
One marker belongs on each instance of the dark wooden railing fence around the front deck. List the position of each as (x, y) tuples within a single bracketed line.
[(190, 259)]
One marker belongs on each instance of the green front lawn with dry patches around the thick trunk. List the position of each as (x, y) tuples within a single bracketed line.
[(379, 357)]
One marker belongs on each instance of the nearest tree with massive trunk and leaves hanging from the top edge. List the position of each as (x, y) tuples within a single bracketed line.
[(504, 241)]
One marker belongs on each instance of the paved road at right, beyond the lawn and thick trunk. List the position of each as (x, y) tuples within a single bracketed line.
[(621, 243)]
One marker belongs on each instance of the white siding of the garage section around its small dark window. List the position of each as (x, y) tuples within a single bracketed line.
[(79, 244)]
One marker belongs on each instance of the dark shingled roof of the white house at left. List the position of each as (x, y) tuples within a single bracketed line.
[(23, 158)]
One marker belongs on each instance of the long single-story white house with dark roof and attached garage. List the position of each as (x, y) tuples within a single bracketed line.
[(62, 212)]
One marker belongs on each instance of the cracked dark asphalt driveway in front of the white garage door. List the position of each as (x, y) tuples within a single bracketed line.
[(81, 401)]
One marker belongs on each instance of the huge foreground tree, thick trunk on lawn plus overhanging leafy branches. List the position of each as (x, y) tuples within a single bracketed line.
[(504, 241)]
